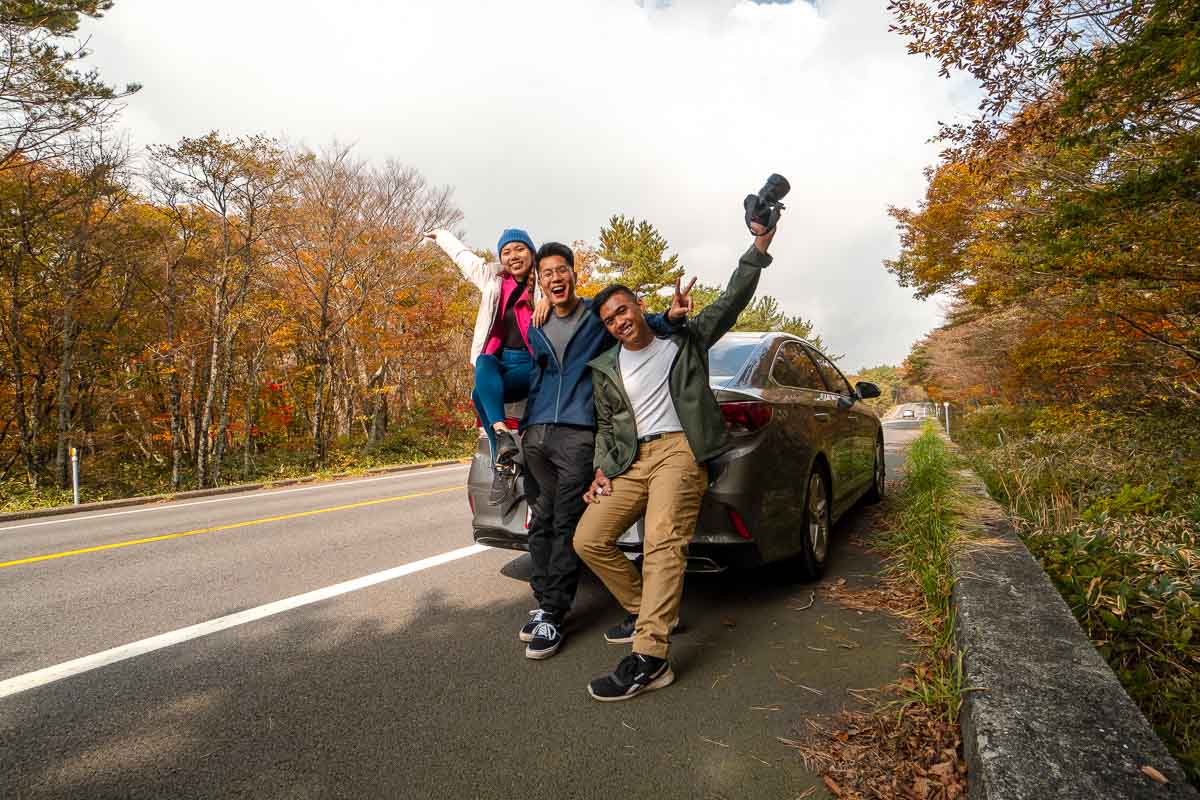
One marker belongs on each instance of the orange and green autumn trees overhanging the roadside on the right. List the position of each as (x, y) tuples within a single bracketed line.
[(1069, 207)]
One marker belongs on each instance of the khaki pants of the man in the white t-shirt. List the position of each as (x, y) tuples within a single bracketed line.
[(667, 485)]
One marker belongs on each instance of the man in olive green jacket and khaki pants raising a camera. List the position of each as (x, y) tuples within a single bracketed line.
[(658, 425)]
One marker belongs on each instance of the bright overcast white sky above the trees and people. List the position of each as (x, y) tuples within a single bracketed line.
[(555, 115)]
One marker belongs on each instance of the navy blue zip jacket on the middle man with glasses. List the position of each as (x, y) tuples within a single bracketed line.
[(562, 393)]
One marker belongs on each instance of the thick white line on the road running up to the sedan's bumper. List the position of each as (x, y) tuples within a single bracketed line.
[(69, 669)]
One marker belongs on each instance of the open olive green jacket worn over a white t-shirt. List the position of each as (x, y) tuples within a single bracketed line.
[(699, 413)]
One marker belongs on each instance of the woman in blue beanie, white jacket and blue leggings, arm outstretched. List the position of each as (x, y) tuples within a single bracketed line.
[(500, 348)]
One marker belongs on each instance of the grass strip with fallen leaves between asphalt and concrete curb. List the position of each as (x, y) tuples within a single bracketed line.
[(909, 745)]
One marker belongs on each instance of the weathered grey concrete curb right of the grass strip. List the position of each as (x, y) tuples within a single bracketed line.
[(1045, 715)]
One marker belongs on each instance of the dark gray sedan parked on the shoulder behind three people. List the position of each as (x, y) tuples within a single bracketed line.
[(806, 450)]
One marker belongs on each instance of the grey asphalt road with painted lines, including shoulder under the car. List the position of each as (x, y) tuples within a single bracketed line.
[(407, 681)]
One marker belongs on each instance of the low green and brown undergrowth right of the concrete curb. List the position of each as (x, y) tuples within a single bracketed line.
[(1111, 504)]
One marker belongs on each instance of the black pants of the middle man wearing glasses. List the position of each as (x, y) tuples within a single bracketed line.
[(559, 458)]
